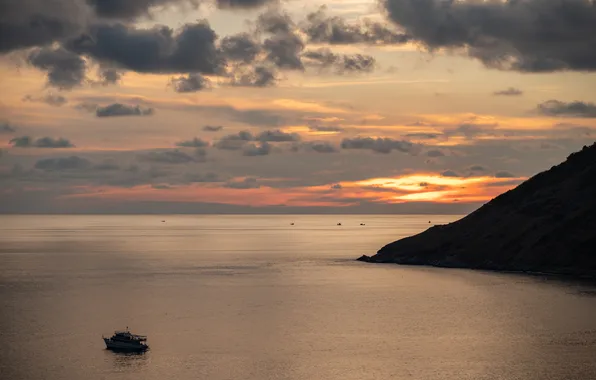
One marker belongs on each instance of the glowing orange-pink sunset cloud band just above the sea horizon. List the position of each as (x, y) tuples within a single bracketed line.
[(408, 188)]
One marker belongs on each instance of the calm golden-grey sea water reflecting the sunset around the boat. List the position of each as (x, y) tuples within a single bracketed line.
[(251, 297)]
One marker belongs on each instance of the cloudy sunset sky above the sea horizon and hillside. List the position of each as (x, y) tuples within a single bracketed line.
[(262, 106)]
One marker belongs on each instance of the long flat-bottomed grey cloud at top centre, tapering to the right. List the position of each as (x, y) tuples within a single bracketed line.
[(321, 28)]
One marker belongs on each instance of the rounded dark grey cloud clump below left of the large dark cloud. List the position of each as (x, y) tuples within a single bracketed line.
[(65, 69)]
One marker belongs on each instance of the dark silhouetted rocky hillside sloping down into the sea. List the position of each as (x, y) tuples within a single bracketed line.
[(546, 224)]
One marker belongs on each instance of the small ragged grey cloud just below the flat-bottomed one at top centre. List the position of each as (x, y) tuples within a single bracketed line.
[(325, 58)]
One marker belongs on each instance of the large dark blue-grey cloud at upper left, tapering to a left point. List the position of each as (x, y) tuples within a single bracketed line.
[(159, 49)]
